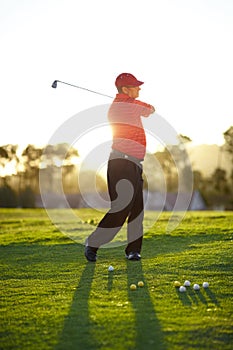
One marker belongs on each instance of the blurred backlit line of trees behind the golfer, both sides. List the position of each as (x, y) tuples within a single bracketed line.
[(20, 172)]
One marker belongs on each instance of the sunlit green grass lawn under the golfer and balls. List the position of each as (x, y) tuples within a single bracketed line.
[(51, 298)]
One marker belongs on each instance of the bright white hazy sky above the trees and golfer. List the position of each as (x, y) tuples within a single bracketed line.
[(181, 49)]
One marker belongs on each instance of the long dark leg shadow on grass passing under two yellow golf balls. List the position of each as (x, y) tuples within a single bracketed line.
[(148, 330)]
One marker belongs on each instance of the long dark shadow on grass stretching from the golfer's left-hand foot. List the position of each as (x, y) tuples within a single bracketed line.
[(76, 333)]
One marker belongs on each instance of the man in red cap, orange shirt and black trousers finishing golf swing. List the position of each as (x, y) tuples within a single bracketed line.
[(124, 174)]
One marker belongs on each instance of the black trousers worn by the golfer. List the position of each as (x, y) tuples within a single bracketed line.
[(125, 186)]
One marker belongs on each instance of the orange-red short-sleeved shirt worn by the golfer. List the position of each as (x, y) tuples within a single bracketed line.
[(125, 119)]
